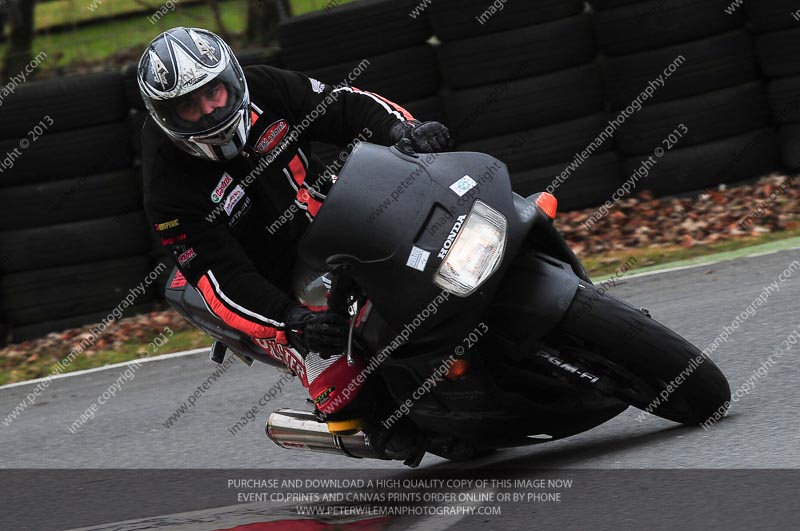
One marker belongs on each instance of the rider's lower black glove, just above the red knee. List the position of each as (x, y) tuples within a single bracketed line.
[(322, 332)]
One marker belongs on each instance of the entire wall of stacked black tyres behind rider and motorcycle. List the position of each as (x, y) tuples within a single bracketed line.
[(535, 83)]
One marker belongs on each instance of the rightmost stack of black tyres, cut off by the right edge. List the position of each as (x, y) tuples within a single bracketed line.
[(777, 23)]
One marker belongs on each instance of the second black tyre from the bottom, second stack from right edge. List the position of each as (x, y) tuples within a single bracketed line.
[(707, 117)]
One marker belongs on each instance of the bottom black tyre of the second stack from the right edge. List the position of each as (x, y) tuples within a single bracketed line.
[(728, 160)]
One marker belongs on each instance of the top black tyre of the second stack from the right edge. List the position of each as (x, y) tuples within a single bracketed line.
[(638, 27)]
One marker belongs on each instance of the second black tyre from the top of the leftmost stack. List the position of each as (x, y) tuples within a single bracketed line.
[(68, 154)]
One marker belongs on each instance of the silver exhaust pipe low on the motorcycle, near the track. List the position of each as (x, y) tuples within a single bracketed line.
[(300, 430)]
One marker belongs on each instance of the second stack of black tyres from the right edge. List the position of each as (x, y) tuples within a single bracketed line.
[(704, 119)]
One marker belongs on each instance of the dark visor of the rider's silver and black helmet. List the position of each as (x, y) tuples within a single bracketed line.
[(205, 109)]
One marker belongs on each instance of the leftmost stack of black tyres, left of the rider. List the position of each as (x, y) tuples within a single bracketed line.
[(72, 231)]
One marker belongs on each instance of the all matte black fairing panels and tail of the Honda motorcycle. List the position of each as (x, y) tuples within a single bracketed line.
[(362, 232)]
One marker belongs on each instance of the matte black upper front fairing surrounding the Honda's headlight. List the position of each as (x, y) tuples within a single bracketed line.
[(362, 231)]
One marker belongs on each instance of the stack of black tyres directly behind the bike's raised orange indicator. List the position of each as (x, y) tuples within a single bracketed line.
[(524, 87)]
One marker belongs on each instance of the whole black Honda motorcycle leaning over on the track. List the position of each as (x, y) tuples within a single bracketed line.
[(477, 325)]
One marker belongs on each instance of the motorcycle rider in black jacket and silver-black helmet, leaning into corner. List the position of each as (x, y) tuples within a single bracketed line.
[(225, 155)]
